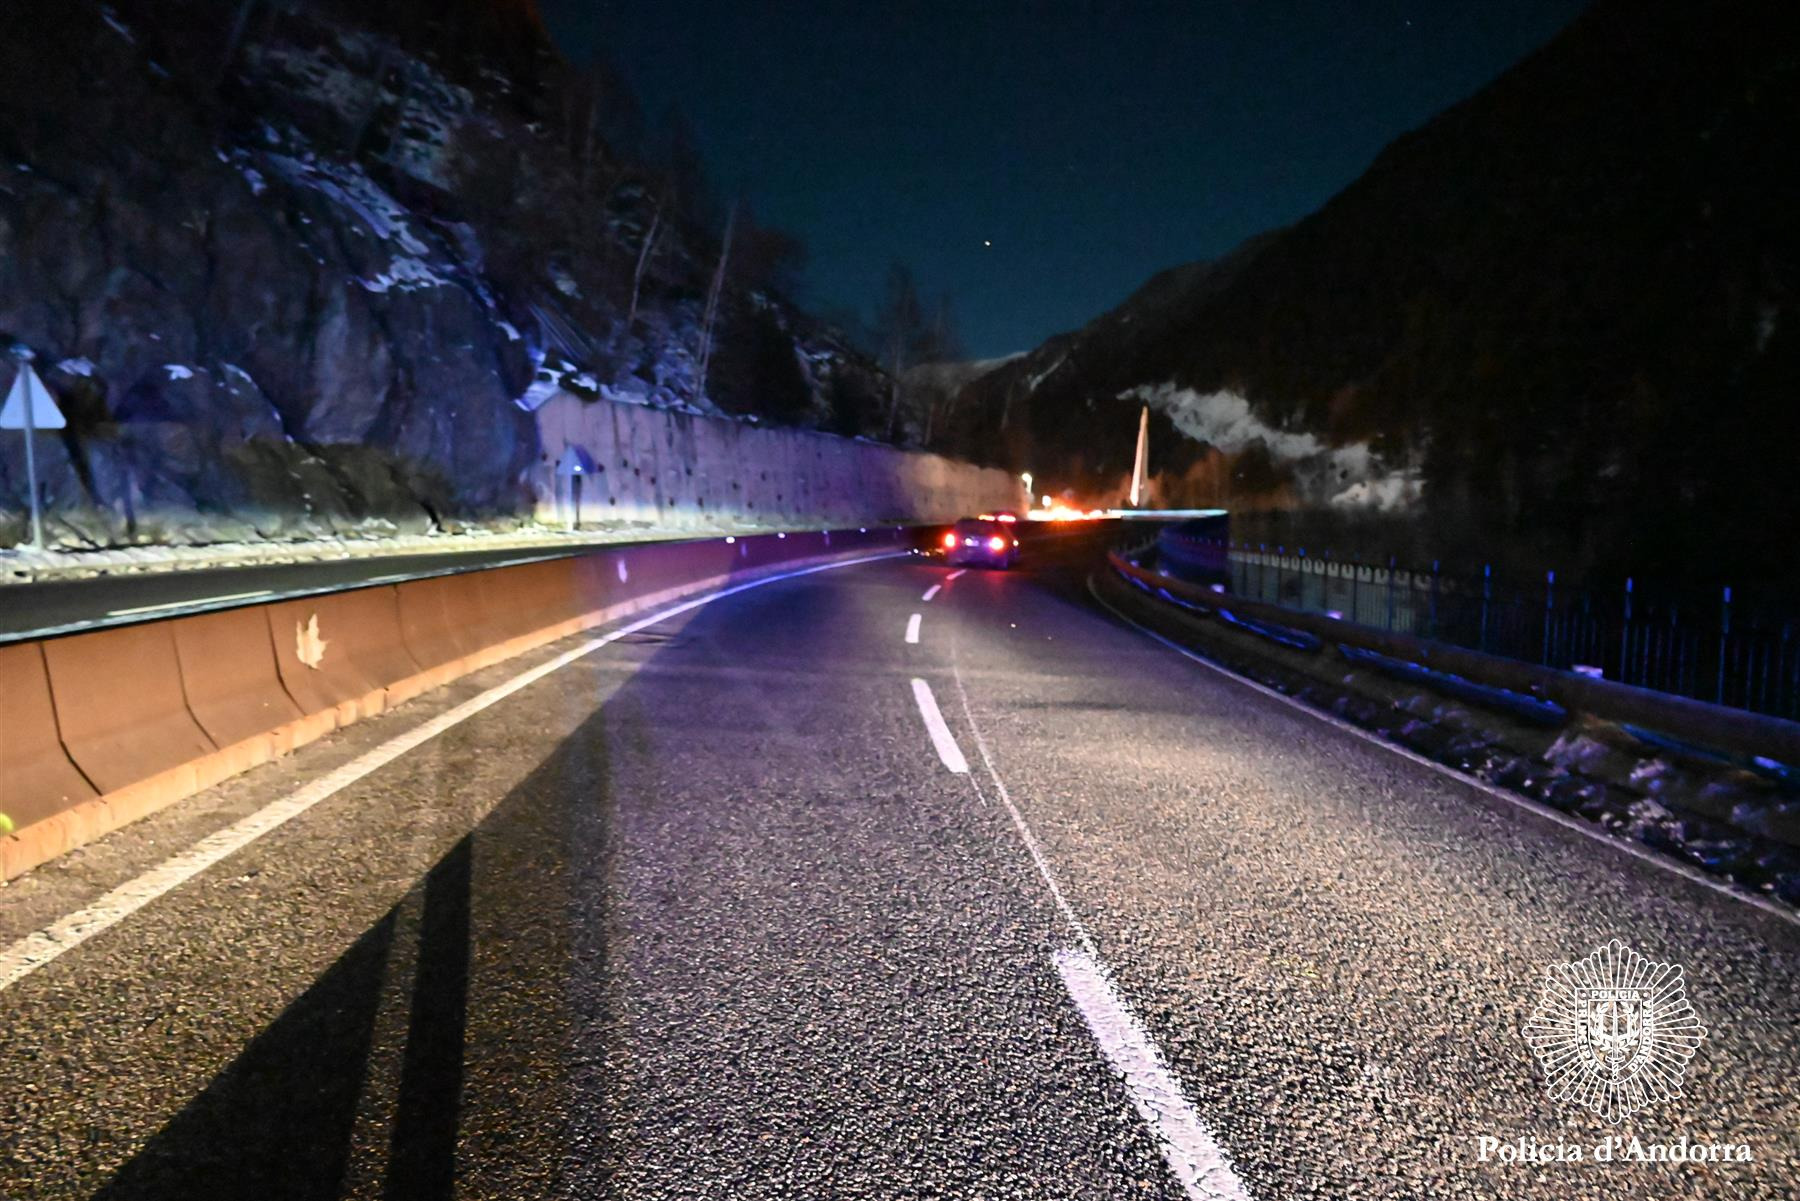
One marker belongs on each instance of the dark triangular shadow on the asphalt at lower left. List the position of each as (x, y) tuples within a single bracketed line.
[(521, 898)]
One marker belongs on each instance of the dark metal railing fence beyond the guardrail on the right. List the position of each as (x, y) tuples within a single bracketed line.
[(1716, 653)]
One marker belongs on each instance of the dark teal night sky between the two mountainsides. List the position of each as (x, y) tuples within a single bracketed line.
[(1090, 143)]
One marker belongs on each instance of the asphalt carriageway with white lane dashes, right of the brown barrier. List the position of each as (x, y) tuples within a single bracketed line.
[(710, 912)]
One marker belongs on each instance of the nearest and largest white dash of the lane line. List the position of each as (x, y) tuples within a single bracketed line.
[(1191, 1150)]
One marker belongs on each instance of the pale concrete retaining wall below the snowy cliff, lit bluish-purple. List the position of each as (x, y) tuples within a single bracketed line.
[(676, 471)]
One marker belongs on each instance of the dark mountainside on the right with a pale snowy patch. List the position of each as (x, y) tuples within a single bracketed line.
[(1558, 314)]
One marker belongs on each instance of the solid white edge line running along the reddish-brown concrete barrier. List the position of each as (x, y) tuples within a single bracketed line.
[(73, 930)]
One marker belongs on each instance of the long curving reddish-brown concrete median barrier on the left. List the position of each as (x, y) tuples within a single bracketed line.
[(102, 728)]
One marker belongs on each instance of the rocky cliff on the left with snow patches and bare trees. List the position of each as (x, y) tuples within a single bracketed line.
[(305, 275)]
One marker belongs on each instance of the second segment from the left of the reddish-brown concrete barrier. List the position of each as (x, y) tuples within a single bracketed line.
[(121, 710)]
